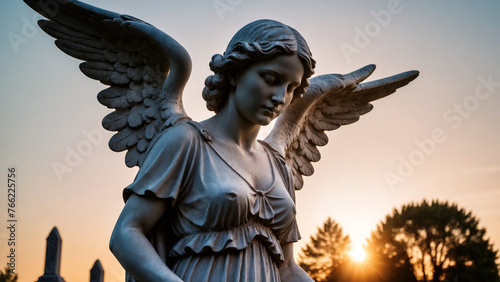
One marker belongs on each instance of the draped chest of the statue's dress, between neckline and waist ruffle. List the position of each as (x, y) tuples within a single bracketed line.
[(224, 199)]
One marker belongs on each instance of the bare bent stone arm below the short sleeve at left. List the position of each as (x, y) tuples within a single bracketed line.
[(131, 247)]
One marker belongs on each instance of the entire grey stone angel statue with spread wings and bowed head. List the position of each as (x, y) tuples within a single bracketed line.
[(210, 202)]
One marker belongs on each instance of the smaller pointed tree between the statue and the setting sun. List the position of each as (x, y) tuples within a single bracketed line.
[(322, 257)]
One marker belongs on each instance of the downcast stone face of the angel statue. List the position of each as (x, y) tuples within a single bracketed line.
[(266, 88)]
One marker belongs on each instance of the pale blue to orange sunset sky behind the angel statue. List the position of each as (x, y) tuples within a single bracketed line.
[(437, 138)]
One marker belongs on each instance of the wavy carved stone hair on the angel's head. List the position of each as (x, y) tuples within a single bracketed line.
[(256, 42)]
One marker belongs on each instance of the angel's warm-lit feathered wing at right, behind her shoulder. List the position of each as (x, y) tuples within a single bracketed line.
[(331, 100)]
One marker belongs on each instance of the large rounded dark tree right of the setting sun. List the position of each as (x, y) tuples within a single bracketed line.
[(432, 242)]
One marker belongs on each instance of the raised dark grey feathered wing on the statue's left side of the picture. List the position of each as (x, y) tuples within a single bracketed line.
[(145, 68)]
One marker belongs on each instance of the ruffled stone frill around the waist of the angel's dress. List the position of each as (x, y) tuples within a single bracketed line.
[(237, 238)]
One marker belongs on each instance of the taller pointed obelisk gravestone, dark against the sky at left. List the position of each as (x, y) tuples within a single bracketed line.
[(52, 258)]
